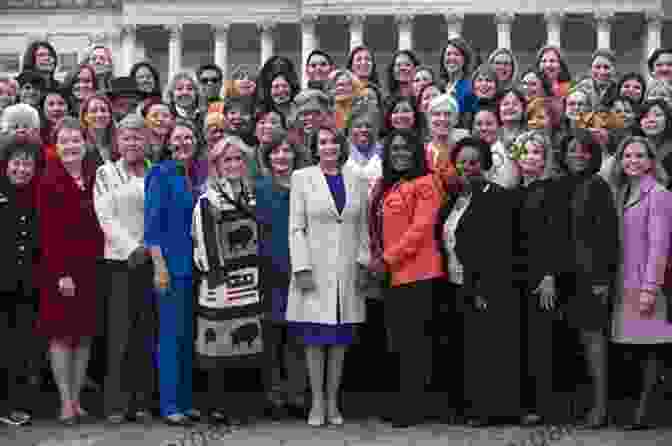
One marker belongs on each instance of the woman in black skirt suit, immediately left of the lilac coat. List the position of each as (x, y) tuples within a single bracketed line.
[(591, 262)]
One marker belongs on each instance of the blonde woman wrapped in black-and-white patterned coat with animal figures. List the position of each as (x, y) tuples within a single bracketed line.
[(226, 238)]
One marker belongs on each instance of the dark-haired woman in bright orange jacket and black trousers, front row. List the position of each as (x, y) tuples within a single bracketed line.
[(403, 212)]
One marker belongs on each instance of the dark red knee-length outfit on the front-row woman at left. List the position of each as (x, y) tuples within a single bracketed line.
[(72, 241)]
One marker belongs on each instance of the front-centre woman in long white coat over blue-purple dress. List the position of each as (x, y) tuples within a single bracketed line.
[(328, 245)]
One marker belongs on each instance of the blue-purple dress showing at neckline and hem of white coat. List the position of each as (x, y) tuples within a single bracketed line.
[(312, 333)]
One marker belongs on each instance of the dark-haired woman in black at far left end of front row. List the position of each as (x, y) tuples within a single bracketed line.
[(19, 256)]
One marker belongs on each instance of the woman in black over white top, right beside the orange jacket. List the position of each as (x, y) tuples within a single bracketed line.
[(475, 236)]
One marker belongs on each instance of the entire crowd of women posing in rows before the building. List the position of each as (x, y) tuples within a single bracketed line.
[(259, 226)]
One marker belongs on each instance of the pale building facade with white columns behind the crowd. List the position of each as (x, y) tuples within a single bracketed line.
[(176, 35)]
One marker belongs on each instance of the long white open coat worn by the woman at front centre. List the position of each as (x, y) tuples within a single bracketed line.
[(329, 244)]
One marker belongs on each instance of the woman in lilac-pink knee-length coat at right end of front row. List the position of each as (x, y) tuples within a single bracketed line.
[(645, 206)]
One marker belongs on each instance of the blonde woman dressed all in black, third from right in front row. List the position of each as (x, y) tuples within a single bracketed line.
[(536, 225)]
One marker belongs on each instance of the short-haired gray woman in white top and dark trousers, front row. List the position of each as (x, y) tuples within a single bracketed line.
[(119, 203)]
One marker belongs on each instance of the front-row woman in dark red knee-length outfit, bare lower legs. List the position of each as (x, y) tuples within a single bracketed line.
[(71, 241)]
